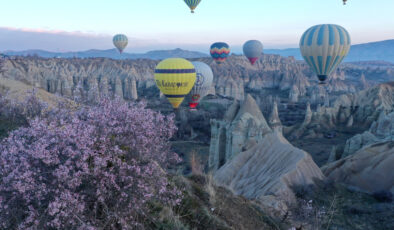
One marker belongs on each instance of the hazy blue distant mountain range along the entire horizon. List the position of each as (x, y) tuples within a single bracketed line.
[(374, 51)]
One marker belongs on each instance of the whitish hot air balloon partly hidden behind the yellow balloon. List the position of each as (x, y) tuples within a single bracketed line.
[(202, 85)]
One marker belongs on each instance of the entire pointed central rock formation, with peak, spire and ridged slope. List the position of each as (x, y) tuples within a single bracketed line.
[(252, 159)]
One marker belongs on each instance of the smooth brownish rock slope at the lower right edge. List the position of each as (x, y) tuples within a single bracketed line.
[(370, 169)]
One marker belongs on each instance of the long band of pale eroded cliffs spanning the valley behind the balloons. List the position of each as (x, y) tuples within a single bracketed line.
[(130, 78)]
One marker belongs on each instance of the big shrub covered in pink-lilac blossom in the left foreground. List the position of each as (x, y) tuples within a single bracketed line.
[(97, 167)]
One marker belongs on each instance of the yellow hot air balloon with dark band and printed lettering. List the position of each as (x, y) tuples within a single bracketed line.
[(175, 77)]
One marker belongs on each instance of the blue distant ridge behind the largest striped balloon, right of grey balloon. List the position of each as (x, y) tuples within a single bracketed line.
[(373, 51)]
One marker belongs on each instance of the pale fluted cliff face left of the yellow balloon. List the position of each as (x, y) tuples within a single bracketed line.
[(82, 77)]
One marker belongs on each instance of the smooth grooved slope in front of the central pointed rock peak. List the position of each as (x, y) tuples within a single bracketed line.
[(271, 167)]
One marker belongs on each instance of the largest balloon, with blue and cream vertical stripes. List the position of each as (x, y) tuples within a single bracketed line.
[(324, 47)]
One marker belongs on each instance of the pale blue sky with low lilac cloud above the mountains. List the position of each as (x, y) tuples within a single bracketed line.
[(74, 25)]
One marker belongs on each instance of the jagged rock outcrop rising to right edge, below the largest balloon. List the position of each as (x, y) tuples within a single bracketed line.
[(360, 109)]
